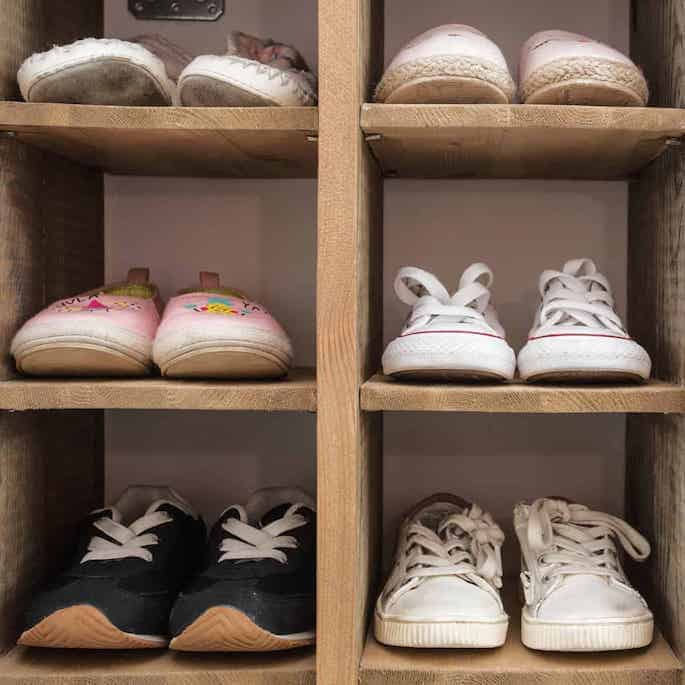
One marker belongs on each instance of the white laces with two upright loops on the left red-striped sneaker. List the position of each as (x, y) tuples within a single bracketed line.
[(429, 298)]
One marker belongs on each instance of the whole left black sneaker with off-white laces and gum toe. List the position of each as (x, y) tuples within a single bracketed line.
[(131, 561)]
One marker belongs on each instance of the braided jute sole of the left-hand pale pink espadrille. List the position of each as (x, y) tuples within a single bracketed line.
[(446, 79)]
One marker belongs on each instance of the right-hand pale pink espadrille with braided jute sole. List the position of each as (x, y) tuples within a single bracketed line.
[(562, 68)]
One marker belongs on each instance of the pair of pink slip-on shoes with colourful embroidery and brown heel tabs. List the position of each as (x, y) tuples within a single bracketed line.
[(205, 332)]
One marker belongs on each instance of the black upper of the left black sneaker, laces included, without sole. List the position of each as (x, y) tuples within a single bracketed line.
[(129, 569)]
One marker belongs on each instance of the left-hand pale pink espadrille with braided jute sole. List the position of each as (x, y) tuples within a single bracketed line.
[(450, 64)]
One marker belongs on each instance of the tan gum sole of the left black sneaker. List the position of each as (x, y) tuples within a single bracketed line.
[(84, 627)]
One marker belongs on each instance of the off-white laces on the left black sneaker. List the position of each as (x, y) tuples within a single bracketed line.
[(129, 541)]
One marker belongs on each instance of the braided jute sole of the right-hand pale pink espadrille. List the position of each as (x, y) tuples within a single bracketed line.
[(584, 81)]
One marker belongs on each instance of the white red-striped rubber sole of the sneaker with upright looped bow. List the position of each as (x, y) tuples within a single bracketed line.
[(449, 356)]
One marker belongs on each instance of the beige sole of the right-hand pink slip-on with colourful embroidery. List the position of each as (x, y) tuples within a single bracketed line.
[(224, 362)]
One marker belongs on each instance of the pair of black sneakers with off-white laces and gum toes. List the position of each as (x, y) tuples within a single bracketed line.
[(144, 576)]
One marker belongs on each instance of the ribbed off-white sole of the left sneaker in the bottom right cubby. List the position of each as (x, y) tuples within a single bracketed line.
[(442, 635)]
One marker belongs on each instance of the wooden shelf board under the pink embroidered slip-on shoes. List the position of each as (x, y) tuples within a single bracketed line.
[(297, 392)]
